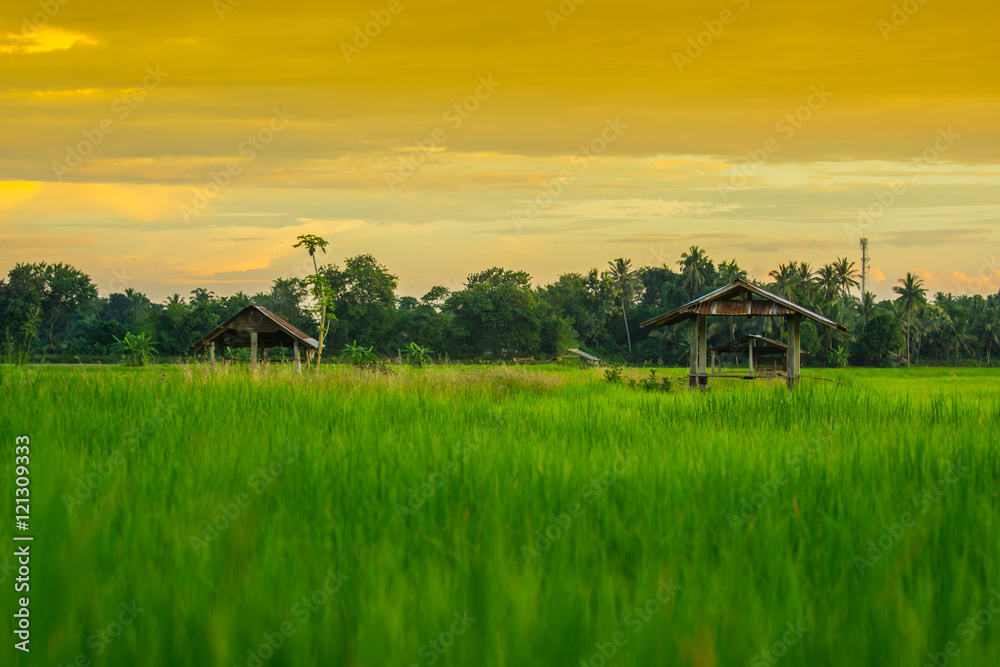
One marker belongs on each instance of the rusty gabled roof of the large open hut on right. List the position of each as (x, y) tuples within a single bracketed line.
[(739, 299)]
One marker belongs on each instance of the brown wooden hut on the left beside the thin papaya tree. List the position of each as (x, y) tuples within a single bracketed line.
[(258, 328)]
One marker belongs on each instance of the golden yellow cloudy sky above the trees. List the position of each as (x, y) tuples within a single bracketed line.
[(455, 136)]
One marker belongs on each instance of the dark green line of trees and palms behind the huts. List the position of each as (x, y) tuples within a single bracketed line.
[(53, 311)]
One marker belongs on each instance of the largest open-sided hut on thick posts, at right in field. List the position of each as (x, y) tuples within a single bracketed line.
[(740, 299)]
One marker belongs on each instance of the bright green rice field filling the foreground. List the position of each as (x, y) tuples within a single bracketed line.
[(503, 516)]
